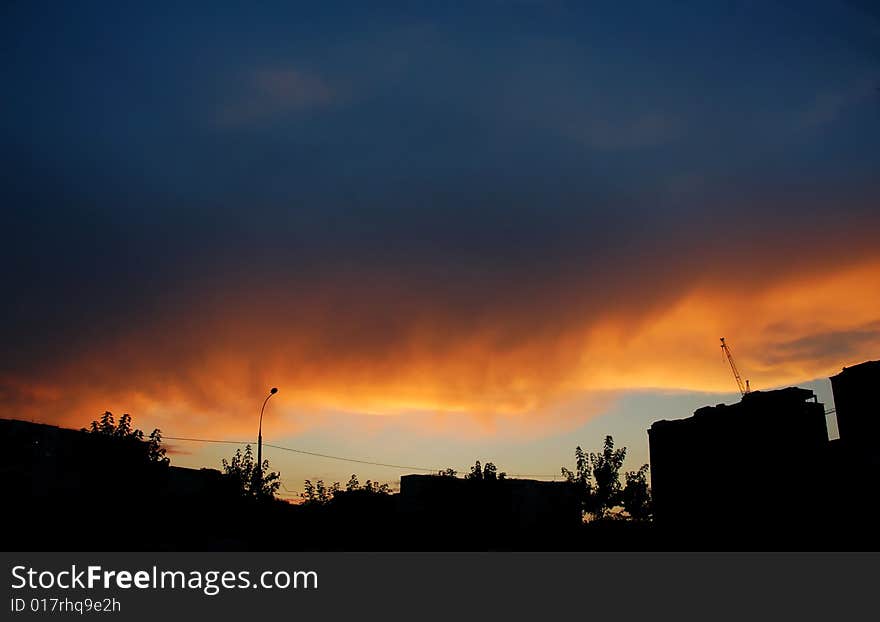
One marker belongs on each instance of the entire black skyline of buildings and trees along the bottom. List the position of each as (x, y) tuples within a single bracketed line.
[(761, 473)]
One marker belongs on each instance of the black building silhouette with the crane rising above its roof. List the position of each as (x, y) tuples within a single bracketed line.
[(722, 467)]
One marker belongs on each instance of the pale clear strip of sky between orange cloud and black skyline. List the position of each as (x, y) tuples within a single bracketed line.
[(299, 458)]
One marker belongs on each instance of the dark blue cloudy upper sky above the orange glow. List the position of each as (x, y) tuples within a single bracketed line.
[(152, 150)]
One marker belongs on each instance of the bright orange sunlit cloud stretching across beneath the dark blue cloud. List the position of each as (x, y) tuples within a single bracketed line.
[(378, 350)]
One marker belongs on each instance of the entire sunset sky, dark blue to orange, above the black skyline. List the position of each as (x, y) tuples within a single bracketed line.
[(446, 231)]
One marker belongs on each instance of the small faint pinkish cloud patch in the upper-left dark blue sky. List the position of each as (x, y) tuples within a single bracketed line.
[(270, 94)]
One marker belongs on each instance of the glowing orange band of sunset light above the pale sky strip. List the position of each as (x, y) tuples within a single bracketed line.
[(785, 333)]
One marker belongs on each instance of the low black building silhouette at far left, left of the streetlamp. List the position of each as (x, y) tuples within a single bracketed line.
[(70, 489)]
